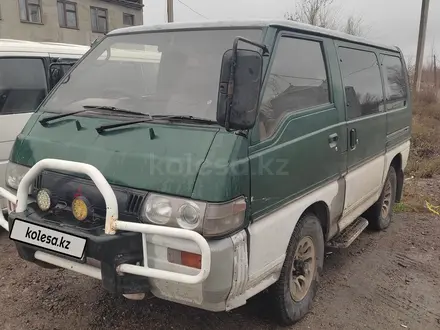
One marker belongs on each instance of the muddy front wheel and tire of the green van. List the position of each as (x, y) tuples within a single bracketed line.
[(292, 295)]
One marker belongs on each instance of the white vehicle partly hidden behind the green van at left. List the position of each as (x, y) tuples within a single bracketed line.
[(25, 80)]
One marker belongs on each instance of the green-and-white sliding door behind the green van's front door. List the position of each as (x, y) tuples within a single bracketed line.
[(366, 125)]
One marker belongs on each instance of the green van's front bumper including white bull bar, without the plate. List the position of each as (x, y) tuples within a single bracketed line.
[(132, 257)]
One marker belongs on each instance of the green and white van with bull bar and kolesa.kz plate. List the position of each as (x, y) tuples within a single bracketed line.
[(205, 163)]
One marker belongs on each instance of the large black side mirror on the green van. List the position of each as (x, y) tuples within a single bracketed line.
[(240, 87)]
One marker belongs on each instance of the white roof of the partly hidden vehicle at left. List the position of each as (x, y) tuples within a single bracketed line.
[(13, 45)]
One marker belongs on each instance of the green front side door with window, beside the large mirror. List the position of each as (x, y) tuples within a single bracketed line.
[(300, 135)]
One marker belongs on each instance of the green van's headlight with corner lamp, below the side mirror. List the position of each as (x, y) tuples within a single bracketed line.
[(209, 219)]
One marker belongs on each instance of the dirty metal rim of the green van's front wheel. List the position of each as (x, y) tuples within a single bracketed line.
[(303, 269)]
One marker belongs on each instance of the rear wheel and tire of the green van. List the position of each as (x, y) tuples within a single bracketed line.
[(379, 215)]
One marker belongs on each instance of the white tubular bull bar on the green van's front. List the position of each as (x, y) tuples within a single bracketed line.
[(112, 224)]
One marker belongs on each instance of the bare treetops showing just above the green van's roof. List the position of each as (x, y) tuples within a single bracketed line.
[(323, 14)]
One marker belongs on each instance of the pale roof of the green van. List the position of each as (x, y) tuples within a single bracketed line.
[(251, 24)]
